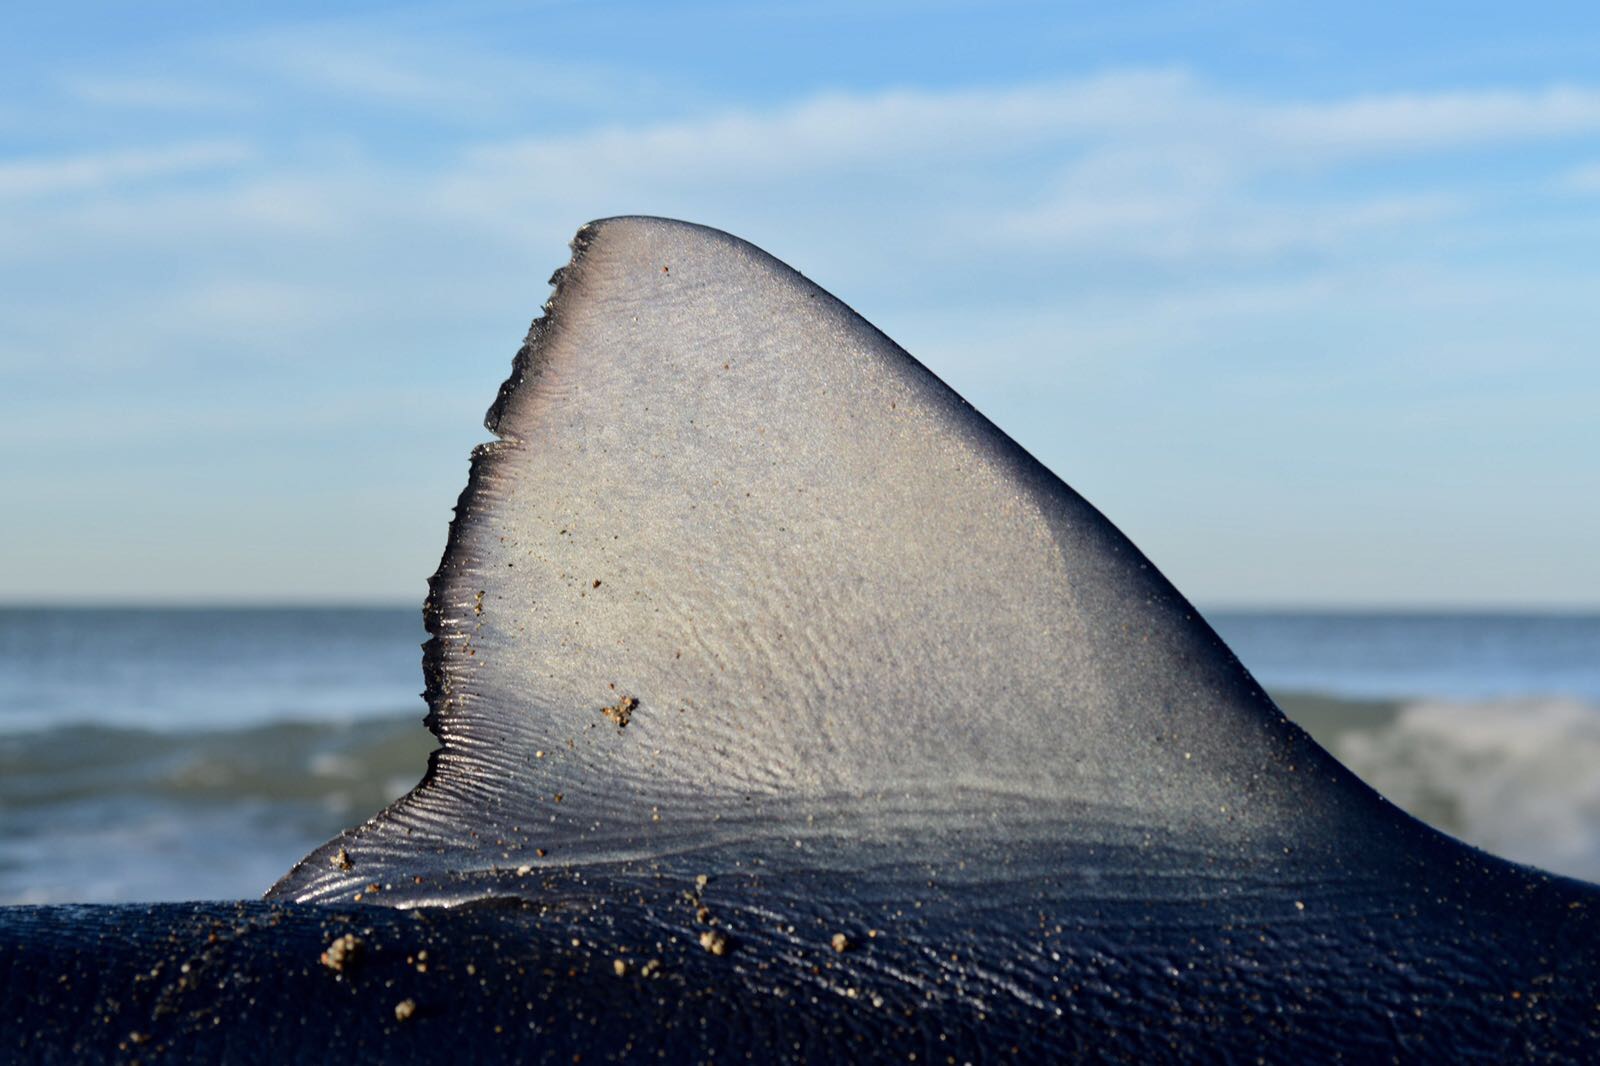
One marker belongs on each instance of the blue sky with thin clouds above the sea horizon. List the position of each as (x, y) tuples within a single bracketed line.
[(1308, 303)]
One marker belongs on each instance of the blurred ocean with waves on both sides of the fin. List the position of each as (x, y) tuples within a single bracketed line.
[(196, 753)]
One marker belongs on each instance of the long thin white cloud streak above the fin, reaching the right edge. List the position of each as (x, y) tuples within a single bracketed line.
[(1166, 114)]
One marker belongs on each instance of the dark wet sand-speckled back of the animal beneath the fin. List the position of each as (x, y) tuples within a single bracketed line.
[(1484, 966)]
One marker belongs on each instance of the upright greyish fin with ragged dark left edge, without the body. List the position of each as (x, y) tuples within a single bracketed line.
[(742, 572)]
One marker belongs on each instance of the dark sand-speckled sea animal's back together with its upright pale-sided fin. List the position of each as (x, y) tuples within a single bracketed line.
[(745, 595)]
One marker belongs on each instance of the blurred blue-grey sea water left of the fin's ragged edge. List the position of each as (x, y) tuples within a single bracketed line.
[(191, 755)]
